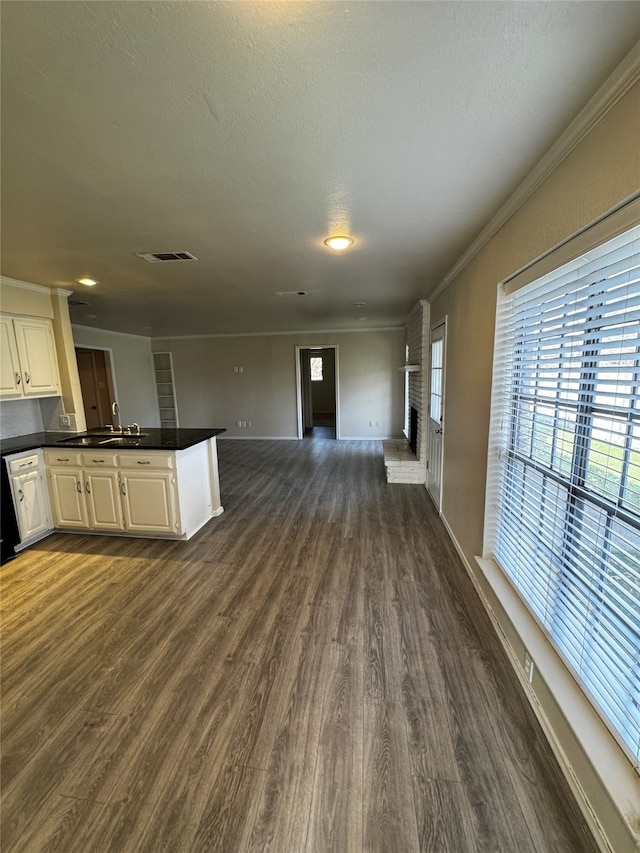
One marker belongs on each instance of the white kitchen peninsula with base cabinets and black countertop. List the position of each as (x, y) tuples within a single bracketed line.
[(160, 483)]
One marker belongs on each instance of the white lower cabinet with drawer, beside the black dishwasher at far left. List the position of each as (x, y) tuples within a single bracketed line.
[(30, 497)]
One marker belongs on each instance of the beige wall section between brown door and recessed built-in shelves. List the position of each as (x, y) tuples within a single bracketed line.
[(133, 372)]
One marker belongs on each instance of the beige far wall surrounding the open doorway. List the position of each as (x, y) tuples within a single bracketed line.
[(210, 393)]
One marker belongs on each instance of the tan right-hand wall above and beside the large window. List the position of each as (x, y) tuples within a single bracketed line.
[(602, 171)]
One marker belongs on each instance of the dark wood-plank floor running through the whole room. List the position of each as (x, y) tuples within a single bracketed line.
[(311, 673)]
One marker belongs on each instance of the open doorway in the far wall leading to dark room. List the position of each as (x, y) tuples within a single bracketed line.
[(317, 392)]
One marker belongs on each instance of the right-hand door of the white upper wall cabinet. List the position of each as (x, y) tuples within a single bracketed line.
[(37, 355)]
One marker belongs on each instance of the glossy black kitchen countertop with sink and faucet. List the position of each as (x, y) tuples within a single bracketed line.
[(151, 439)]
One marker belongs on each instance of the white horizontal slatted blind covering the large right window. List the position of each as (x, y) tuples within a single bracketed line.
[(567, 526)]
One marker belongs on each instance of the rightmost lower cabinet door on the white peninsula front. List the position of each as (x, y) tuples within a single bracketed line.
[(149, 501)]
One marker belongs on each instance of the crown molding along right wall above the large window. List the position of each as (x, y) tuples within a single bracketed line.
[(607, 96)]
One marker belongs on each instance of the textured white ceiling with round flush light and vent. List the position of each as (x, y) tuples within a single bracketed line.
[(245, 133)]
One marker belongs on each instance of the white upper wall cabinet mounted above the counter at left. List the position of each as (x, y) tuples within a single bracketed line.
[(28, 363)]
